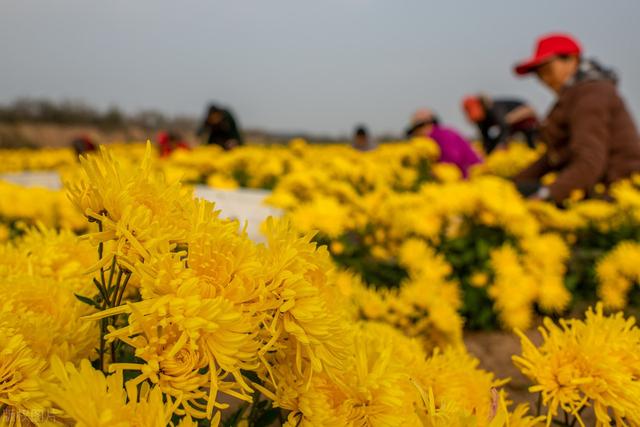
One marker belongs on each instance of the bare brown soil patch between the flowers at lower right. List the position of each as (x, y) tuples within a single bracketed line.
[(494, 349)]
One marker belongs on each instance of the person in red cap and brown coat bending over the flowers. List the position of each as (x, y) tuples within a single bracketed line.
[(590, 135)]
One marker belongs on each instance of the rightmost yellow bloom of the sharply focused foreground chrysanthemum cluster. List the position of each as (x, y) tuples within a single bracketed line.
[(296, 278)]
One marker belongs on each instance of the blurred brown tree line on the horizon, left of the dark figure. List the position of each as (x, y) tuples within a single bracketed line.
[(68, 112)]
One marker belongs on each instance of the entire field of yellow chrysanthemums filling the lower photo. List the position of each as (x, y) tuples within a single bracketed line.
[(130, 302)]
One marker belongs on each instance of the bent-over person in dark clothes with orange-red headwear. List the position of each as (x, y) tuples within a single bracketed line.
[(499, 120)]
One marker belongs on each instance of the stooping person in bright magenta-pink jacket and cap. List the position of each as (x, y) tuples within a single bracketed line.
[(454, 148)]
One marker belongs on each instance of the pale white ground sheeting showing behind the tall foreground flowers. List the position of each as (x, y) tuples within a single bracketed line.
[(245, 205)]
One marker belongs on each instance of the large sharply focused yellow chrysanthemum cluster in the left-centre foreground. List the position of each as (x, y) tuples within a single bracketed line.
[(226, 304)]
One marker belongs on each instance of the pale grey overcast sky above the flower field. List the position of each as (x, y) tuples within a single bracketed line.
[(298, 65)]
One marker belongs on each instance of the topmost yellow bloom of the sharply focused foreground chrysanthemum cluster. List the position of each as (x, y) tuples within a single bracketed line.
[(134, 206)]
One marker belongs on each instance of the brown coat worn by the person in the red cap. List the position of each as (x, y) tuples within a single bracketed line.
[(590, 136)]
